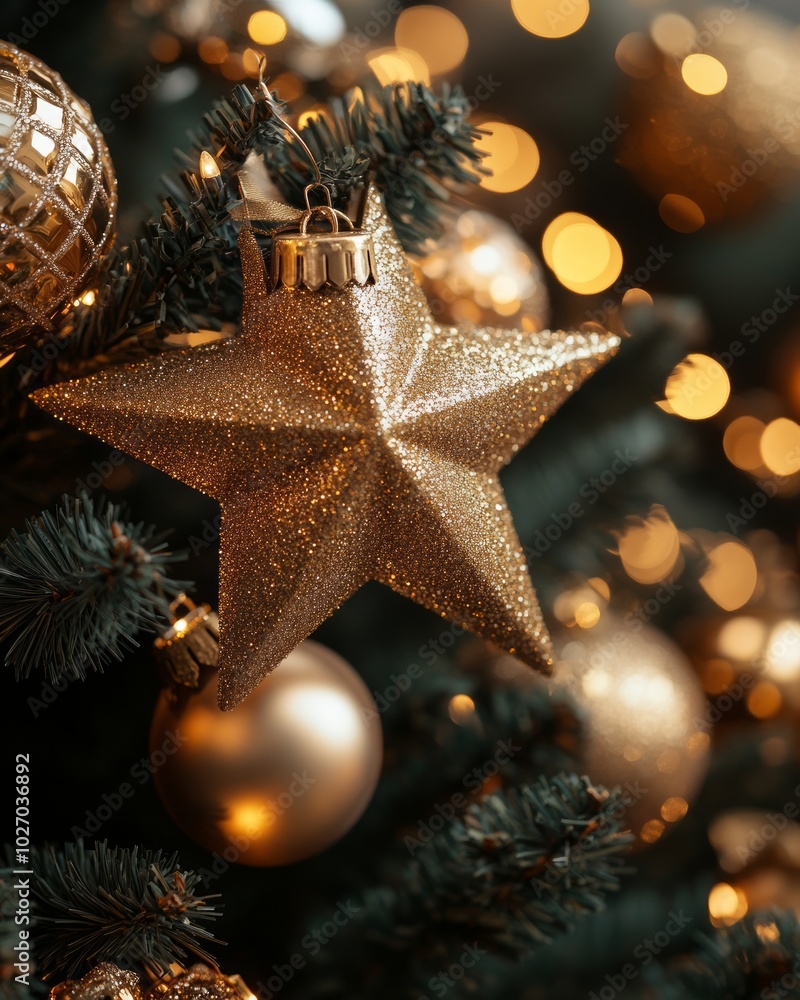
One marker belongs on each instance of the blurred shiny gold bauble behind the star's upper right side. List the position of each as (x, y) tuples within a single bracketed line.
[(480, 271)]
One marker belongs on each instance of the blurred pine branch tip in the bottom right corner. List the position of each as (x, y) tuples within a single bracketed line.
[(756, 957)]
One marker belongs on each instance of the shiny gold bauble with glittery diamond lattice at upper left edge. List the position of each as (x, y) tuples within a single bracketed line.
[(58, 195)]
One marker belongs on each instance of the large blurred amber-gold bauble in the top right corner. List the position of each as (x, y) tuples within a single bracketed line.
[(714, 127)]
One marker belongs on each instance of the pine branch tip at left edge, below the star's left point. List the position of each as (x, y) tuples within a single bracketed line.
[(77, 585)]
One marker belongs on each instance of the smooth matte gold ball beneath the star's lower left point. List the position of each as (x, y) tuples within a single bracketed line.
[(282, 776)]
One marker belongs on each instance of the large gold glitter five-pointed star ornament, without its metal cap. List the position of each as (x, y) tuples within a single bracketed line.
[(348, 438)]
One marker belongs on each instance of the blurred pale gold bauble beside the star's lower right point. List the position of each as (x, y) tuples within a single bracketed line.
[(646, 723)]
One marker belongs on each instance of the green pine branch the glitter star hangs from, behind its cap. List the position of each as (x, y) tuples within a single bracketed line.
[(183, 274)]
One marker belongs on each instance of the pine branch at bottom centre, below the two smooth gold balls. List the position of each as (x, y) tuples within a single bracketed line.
[(520, 868)]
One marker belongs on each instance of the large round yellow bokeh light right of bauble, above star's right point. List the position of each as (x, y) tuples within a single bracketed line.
[(583, 255)]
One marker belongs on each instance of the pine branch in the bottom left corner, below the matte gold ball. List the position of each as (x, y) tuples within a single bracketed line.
[(132, 907)]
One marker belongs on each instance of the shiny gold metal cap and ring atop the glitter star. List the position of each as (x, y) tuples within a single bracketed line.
[(310, 258)]
